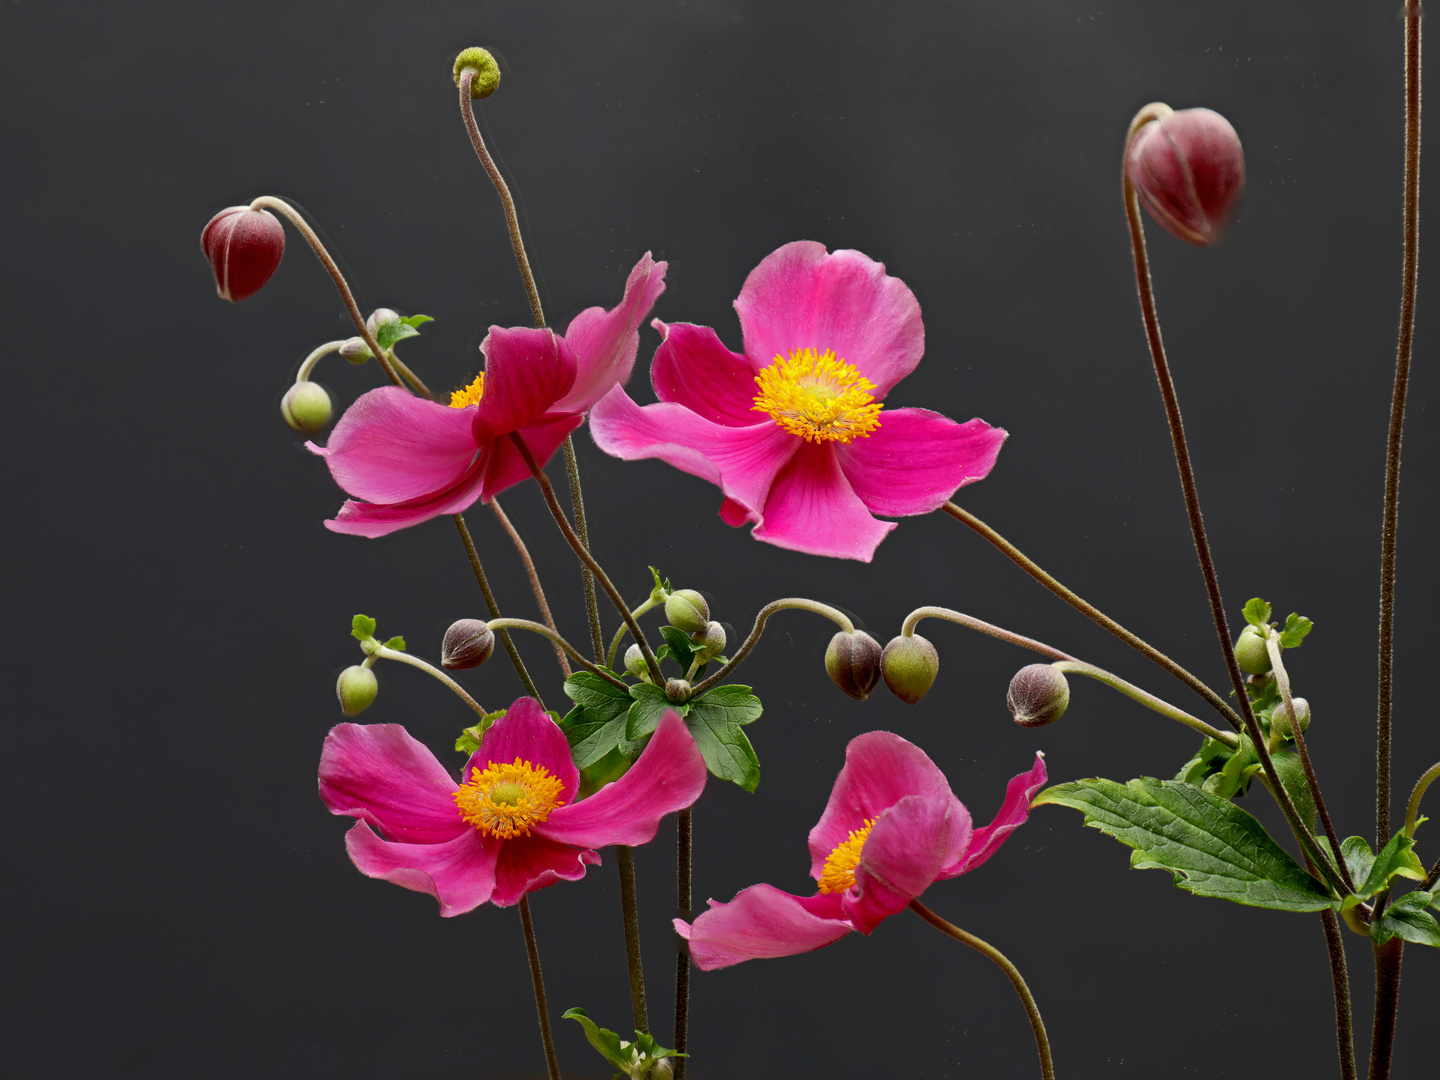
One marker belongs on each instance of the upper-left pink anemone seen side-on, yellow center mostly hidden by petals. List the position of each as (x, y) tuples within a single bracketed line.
[(410, 460)]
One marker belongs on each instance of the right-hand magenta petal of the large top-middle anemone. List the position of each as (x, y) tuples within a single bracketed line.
[(917, 460)]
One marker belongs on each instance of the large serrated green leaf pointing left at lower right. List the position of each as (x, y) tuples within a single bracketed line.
[(1210, 846)]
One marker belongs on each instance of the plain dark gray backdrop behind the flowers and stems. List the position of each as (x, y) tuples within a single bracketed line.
[(179, 901)]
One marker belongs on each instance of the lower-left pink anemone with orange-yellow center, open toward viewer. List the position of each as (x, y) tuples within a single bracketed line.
[(510, 826)]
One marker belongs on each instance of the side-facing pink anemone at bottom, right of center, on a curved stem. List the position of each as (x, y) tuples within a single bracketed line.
[(892, 829)]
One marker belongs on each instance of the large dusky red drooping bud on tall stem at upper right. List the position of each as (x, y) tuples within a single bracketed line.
[(1189, 171)]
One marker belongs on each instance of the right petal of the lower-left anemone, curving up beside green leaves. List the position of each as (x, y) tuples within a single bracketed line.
[(667, 777)]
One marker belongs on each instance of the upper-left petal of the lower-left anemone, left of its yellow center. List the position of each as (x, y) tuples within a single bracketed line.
[(379, 774)]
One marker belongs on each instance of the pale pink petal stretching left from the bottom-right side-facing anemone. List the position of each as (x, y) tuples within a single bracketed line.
[(762, 922)]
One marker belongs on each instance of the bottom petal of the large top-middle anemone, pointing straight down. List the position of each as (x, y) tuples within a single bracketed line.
[(811, 508)]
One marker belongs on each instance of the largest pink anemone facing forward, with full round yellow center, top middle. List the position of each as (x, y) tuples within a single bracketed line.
[(794, 431)]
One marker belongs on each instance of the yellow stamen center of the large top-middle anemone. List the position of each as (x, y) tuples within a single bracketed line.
[(819, 398)]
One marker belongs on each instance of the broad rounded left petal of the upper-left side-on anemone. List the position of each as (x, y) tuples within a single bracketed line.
[(392, 447)]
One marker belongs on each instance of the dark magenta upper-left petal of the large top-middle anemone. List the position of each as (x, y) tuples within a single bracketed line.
[(693, 369)]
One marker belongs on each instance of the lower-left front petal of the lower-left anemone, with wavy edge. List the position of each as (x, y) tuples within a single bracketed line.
[(460, 873)]
